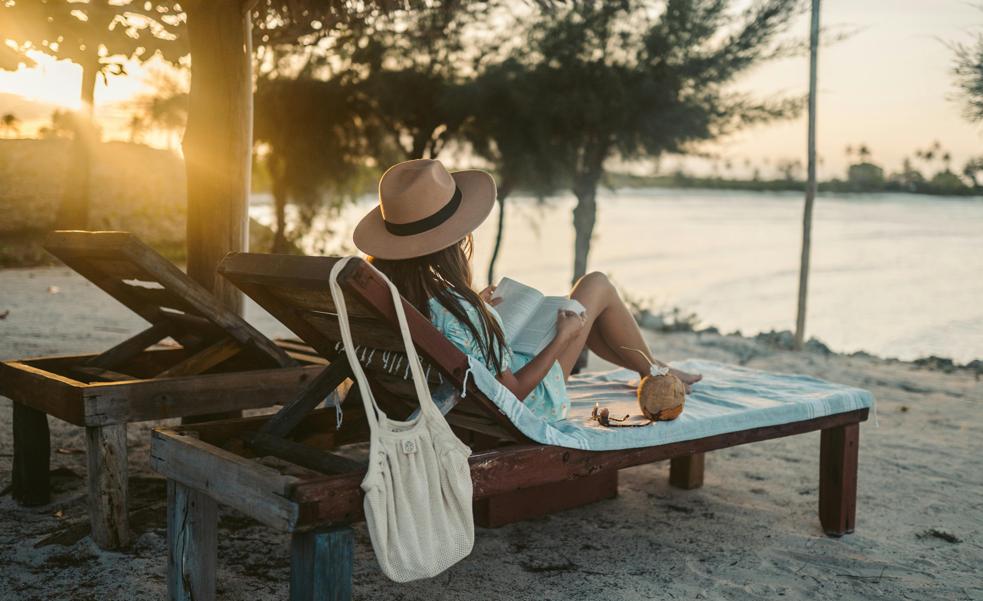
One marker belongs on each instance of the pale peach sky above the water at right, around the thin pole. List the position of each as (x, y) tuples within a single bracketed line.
[(888, 86)]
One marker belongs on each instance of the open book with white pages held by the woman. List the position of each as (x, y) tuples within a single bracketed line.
[(529, 316)]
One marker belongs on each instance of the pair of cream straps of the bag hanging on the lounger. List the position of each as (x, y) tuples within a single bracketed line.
[(372, 409)]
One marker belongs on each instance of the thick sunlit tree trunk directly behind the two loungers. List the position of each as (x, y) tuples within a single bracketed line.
[(218, 140)]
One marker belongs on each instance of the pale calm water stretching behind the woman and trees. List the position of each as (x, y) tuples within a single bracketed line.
[(895, 275)]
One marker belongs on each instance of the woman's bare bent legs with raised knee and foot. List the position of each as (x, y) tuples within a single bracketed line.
[(610, 330)]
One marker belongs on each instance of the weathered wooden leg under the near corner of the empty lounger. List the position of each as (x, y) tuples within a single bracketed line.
[(106, 448)]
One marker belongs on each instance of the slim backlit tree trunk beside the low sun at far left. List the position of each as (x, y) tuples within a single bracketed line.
[(73, 213)]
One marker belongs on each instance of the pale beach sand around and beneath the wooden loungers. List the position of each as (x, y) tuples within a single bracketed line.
[(751, 532)]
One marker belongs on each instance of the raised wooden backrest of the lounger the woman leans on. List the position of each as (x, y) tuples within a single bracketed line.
[(296, 291)]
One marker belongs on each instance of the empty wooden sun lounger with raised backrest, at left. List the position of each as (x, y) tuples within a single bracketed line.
[(219, 364)]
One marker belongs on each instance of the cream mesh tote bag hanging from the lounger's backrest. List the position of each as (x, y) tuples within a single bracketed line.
[(418, 484)]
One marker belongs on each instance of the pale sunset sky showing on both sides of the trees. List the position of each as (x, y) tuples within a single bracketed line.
[(888, 86)]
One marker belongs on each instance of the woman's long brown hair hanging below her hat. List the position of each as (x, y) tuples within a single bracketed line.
[(446, 276)]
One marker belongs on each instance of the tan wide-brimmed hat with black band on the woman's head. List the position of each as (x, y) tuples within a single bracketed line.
[(424, 208)]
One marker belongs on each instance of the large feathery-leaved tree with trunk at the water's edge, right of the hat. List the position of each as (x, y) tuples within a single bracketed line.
[(625, 79)]
